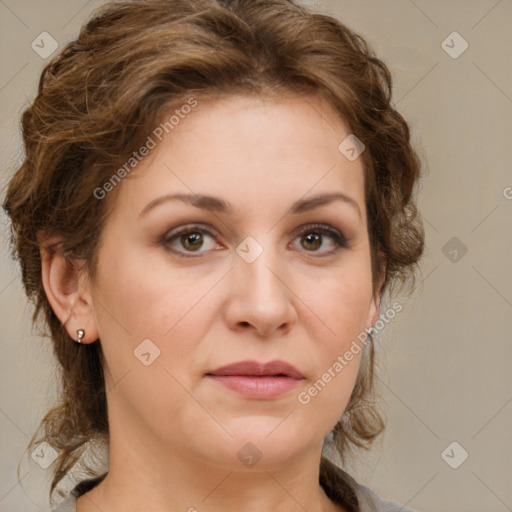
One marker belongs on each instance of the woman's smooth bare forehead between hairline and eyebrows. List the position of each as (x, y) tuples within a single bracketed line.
[(249, 147)]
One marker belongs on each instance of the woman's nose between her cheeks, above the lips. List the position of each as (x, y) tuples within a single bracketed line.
[(260, 299)]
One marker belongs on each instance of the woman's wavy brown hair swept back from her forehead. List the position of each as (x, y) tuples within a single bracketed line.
[(106, 91)]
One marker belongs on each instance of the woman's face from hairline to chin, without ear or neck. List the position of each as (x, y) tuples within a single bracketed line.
[(260, 273)]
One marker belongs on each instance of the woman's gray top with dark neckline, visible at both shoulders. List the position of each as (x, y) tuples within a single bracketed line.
[(337, 484)]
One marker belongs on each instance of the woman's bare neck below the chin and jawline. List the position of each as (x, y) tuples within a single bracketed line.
[(137, 481)]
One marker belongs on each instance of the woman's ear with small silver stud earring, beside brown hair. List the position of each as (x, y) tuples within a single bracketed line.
[(64, 284)]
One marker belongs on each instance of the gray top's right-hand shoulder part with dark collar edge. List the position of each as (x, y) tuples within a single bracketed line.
[(344, 489)]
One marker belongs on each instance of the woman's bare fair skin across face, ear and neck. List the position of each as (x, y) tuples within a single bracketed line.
[(175, 434)]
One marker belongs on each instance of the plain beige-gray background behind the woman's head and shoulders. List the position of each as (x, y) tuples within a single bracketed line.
[(445, 372)]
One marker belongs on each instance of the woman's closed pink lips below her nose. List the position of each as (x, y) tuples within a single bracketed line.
[(258, 380)]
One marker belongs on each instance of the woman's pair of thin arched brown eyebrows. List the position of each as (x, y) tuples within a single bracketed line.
[(218, 205)]
